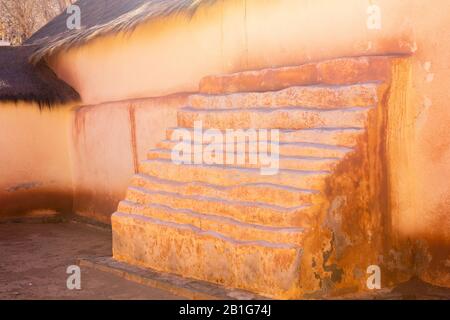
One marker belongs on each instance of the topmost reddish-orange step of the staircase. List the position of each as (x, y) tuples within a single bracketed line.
[(343, 71)]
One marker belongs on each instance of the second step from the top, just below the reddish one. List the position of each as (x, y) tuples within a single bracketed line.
[(325, 97)]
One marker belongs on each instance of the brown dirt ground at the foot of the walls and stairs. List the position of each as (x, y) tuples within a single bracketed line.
[(34, 258)]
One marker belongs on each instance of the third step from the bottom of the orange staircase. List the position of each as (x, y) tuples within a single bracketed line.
[(249, 212)]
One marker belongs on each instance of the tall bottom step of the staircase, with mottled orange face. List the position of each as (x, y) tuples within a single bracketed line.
[(258, 266)]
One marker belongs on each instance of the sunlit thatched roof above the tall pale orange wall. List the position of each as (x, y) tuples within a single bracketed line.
[(100, 17)]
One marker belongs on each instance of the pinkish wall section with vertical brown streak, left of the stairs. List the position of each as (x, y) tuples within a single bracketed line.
[(108, 141)]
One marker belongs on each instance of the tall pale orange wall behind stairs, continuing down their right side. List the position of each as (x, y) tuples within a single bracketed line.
[(243, 35)]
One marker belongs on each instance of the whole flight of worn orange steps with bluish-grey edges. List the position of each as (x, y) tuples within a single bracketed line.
[(229, 224)]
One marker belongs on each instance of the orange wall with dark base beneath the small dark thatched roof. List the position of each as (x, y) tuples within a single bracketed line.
[(35, 170)]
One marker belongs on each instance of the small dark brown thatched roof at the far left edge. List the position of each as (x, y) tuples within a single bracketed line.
[(22, 81)]
